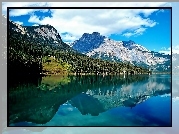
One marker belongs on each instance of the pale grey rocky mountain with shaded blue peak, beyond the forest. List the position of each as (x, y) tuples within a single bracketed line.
[(98, 46)]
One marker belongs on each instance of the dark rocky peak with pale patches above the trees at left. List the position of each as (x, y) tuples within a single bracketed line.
[(45, 35)]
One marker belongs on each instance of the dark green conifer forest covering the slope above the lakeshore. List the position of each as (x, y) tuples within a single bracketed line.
[(26, 55)]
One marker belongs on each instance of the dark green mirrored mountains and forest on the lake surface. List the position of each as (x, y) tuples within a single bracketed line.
[(90, 94)]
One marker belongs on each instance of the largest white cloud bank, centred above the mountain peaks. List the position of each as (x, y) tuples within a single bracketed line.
[(105, 21)]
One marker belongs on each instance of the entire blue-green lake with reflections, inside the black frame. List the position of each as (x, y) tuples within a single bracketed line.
[(138, 100)]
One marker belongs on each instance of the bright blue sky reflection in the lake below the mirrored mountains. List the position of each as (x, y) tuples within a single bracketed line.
[(142, 114)]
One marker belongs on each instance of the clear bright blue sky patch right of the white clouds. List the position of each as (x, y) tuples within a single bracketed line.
[(156, 37)]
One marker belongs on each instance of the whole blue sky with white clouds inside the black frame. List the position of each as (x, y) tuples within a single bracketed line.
[(150, 28)]
